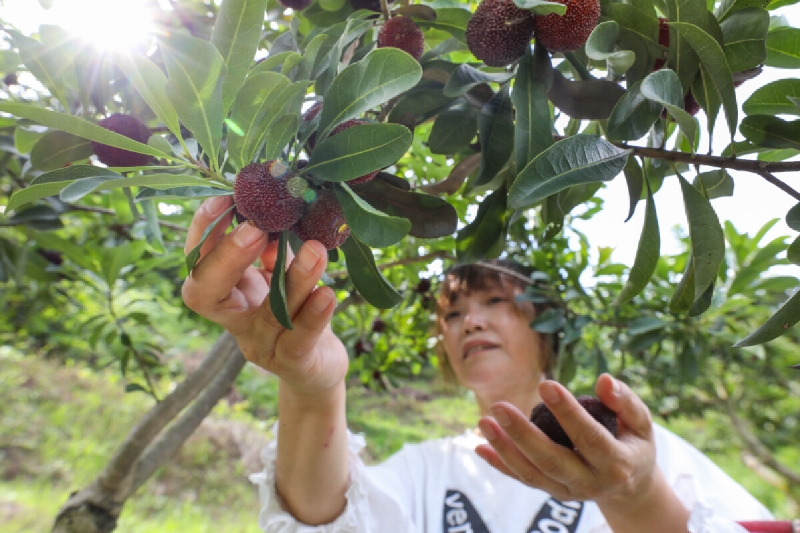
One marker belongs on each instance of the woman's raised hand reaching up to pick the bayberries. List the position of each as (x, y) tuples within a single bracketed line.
[(226, 288)]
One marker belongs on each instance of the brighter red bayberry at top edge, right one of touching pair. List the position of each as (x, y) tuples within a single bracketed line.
[(567, 32)]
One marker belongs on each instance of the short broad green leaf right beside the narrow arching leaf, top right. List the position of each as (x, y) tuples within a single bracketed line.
[(744, 35)]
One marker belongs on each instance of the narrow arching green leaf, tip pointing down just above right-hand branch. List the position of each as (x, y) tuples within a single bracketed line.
[(714, 63)]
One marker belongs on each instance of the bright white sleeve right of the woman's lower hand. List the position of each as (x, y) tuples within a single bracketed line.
[(714, 499)]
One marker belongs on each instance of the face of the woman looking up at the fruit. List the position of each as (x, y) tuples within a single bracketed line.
[(489, 343)]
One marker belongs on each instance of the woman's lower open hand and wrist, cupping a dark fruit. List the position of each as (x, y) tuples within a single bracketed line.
[(619, 474)]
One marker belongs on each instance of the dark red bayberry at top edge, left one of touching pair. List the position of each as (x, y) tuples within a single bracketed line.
[(499, 32)]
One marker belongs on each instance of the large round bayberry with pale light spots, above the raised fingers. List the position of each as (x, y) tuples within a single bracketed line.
[(269, 195)]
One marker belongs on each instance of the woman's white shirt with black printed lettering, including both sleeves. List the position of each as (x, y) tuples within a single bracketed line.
[(430, 487)]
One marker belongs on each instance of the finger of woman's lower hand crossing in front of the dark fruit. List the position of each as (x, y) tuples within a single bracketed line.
[(594, 441)]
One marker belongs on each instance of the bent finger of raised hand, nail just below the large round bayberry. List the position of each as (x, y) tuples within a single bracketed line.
[(212, 281)]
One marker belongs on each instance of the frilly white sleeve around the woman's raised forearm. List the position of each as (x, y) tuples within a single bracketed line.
[(371, 506)]
